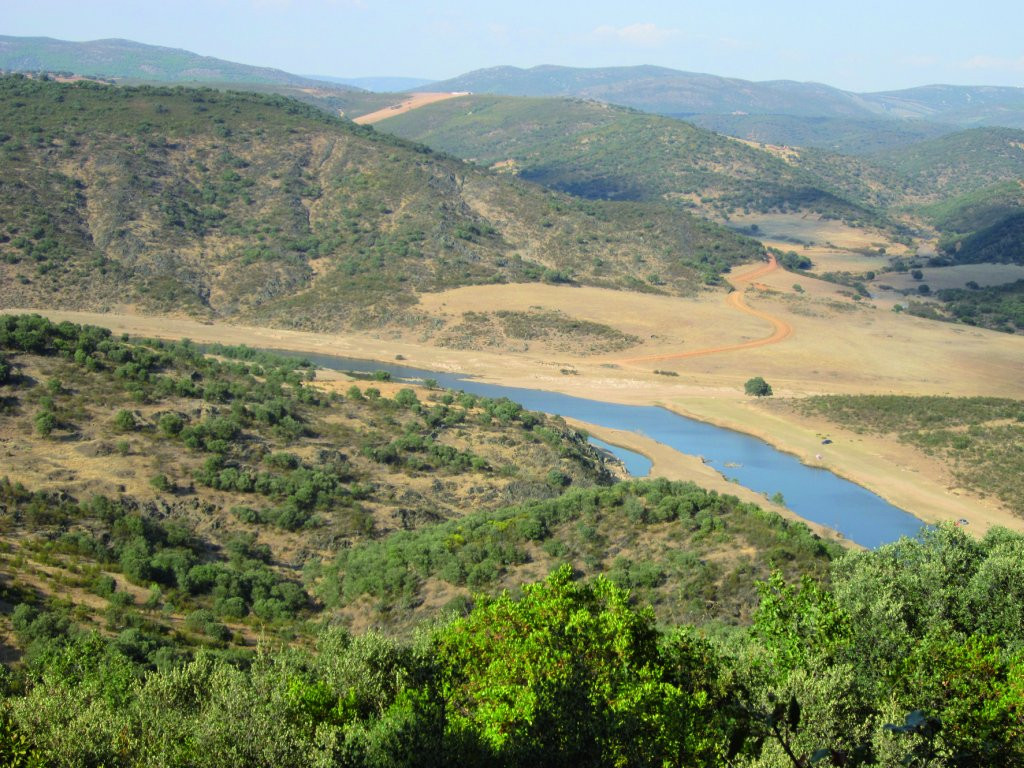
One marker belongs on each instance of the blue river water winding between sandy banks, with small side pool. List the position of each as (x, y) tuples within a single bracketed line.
[(813, 493)]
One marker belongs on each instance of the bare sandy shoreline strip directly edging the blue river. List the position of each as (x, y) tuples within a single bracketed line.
[(859, 459)]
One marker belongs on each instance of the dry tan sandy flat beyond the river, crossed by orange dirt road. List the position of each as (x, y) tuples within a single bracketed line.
[(836, 347)]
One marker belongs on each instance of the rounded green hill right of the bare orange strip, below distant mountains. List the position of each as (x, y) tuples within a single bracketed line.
[(601, 152)]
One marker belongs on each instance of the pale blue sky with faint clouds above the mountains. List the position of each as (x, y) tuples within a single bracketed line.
[(860, 47)]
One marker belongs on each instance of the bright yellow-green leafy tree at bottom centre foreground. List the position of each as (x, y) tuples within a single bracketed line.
[(572, 674)]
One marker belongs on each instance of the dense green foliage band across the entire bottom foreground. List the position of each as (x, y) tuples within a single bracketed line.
[(906, 661)]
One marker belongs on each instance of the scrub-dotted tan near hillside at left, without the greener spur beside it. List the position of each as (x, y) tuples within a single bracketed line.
[(140, 464)]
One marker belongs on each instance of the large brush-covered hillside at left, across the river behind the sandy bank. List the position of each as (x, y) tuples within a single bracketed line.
[(262, 208)]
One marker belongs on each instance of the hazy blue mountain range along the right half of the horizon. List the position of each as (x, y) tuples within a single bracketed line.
[(678, 94)]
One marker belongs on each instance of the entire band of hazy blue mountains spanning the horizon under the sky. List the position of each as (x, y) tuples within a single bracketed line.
[(655, 90)]
